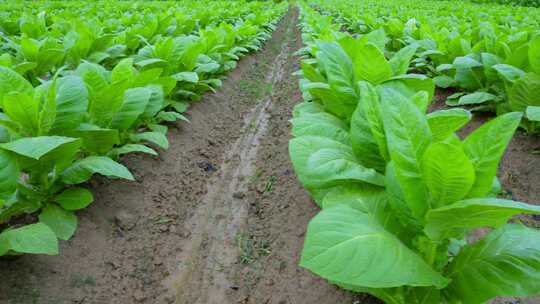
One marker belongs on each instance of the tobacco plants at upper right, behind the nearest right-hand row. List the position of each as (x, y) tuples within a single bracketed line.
[(489, 53)]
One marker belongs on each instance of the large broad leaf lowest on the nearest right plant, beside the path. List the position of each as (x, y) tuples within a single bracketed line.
[(346, 246)]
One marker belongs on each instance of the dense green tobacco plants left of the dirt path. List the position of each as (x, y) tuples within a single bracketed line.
[(83, 84)]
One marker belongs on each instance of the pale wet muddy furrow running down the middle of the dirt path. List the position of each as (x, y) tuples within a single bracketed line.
[(211, 252)]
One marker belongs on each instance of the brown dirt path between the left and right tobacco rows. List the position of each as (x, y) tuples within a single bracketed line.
[(218, 218)]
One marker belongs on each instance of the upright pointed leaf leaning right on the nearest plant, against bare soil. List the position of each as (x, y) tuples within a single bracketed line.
[(485, 147)]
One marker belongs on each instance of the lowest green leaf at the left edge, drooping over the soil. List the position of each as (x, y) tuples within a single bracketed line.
[(34, 239)]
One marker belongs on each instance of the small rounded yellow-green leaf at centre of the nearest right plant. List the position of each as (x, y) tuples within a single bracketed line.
[(448, 173)]
